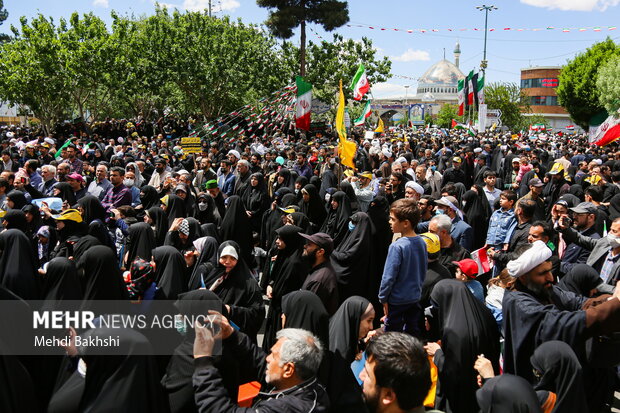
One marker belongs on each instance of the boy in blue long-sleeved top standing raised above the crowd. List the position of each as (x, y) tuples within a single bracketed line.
[(404, 271)]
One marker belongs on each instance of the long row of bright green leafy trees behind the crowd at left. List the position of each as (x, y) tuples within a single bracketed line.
[(185, 62)]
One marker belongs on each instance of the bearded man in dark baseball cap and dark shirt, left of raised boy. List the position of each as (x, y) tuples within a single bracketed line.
[(322, 279)]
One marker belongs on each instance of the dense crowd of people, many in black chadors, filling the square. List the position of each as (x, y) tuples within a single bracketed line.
[(459, 273)]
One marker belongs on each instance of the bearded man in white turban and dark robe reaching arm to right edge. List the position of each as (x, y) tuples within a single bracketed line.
[(535, 311)]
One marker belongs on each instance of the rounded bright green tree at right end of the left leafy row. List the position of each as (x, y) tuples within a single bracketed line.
[(217, 64)]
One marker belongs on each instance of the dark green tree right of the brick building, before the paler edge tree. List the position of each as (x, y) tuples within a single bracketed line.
[(577, 90)]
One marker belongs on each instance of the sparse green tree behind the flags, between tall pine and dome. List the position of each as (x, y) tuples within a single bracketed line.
[(329, 62)]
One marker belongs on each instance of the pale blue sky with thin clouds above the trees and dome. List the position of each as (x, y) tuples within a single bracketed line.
[(413, 53)]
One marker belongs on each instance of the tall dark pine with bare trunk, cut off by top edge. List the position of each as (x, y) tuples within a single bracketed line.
[(286, 15)]
